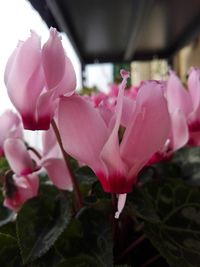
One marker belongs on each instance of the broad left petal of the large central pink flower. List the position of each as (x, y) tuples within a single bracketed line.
[(82, 129)]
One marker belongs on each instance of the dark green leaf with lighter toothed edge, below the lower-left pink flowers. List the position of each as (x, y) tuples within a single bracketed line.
[(41, 221)]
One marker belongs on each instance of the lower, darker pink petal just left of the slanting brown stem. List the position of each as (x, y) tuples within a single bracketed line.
[(58, 173)]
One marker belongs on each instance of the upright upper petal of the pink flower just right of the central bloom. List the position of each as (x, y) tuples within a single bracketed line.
[(177, 96)]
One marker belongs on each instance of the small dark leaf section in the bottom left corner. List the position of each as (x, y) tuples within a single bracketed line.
[(9, 251)]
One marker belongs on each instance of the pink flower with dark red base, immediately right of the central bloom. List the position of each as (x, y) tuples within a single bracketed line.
[(179, 106)]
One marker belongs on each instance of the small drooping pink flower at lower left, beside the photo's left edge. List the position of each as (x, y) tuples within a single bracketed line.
[(25, 180)]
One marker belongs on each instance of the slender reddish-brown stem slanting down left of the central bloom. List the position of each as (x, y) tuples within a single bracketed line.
[(66, 157)]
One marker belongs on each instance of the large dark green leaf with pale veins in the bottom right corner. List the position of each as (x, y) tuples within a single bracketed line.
[(177, 232)]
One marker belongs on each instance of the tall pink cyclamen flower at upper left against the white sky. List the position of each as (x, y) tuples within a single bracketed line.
[(36, 77)]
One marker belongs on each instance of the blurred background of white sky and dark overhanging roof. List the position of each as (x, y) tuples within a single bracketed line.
[(146, 37)]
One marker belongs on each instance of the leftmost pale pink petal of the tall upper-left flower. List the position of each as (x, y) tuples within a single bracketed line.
[(23, 75)]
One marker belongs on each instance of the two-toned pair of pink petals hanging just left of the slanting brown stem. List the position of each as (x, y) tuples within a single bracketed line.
[(53, 162)]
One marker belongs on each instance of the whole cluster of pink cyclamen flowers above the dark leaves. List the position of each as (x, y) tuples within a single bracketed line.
[(115, 134)]
